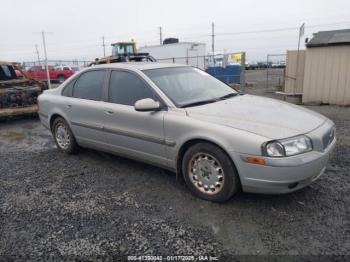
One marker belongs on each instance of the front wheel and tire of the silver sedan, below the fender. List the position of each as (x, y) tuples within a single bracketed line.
[(205, 164)]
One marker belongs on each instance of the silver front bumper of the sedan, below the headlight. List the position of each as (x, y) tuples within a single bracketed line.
[(282, 175)]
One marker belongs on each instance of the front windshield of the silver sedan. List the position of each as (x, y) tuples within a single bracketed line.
[(188, 86)]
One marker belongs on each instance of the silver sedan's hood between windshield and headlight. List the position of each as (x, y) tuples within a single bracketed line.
[(263, 116)]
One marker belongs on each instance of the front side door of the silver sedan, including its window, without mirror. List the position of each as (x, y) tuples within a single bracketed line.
[(137, 134)]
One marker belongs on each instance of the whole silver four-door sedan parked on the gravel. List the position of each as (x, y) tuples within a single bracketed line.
[(182, 119)]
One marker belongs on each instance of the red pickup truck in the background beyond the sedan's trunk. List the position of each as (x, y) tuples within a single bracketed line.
[(57, 73)]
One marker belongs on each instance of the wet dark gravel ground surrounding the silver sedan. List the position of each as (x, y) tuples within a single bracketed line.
[(95, 205)]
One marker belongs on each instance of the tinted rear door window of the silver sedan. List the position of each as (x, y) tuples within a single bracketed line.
[(89, 85)]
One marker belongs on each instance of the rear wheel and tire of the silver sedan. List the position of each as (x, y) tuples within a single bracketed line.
[(63, 136)]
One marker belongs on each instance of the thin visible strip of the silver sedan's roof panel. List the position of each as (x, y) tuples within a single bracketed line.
[(139, 65)]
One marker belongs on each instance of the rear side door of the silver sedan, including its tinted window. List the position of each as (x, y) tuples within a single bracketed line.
[(85, 107)]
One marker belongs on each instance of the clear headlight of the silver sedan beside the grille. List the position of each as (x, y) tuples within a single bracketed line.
[(287, 147)]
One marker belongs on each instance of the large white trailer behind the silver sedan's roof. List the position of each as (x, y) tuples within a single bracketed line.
[(181, 53)]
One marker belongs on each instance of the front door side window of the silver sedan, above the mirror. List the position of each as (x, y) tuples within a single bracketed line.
[(126, 88)]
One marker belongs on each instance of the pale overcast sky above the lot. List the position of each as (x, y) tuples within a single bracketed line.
[(76, 26)]
